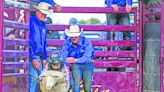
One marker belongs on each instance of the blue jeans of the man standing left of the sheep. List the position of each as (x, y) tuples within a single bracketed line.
[(34, 76)]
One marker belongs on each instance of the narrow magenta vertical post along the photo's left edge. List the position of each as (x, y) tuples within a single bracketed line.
[(1, 41)]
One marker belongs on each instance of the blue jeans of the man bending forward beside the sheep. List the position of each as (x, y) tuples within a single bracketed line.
[(84, 72)]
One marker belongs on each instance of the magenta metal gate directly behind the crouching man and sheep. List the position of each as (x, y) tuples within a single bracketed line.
[(109, 81)]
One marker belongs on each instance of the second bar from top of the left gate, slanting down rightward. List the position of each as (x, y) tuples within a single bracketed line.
[(14, 24)]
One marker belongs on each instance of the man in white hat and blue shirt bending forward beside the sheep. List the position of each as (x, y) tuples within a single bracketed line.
[(79, 52)]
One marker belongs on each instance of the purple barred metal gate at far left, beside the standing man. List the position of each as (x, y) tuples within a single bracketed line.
[(14, 26)]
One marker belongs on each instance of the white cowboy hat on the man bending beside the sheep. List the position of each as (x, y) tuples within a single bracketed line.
[(73, 31)]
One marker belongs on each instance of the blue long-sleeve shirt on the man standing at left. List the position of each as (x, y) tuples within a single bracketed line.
[(38, 36)]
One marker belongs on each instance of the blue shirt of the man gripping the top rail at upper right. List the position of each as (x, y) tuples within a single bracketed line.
[(122, 3)]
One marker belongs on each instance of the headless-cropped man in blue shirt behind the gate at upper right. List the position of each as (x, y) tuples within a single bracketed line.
[(119, 19)]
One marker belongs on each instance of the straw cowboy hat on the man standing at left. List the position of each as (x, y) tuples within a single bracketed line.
[(44, 8)]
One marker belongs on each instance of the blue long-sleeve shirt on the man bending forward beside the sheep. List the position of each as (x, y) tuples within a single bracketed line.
[(83, 53)]
